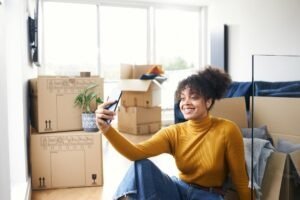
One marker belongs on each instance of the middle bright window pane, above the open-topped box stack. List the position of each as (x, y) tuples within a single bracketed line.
[(123, 38)]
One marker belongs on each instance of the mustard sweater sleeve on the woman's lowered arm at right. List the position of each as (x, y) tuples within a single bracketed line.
[(237, 164)]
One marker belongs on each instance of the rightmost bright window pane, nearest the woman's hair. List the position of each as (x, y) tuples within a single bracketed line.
[(176, 47)]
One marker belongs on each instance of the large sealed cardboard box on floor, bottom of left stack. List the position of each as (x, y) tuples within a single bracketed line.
[(66, 159)]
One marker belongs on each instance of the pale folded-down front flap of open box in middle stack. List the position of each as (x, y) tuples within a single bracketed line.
[(135, 85)]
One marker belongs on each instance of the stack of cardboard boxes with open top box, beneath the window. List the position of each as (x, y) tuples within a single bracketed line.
[(140, 111)]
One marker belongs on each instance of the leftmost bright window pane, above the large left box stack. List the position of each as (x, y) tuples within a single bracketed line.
[(70, 38)]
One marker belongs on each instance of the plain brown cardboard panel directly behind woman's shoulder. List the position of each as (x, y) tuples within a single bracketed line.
[(233, 109)]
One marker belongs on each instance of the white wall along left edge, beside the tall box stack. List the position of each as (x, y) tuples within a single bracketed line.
[(17, 70)]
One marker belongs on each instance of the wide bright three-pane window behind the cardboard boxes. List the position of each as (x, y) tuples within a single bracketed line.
[(104, 36)]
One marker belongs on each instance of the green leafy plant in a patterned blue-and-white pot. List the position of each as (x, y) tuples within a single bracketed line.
[(88, 100)]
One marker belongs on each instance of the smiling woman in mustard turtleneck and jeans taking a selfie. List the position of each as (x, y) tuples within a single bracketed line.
[(206, 149)]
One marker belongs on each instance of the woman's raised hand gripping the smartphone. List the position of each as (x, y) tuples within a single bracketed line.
[(102, 115)]
